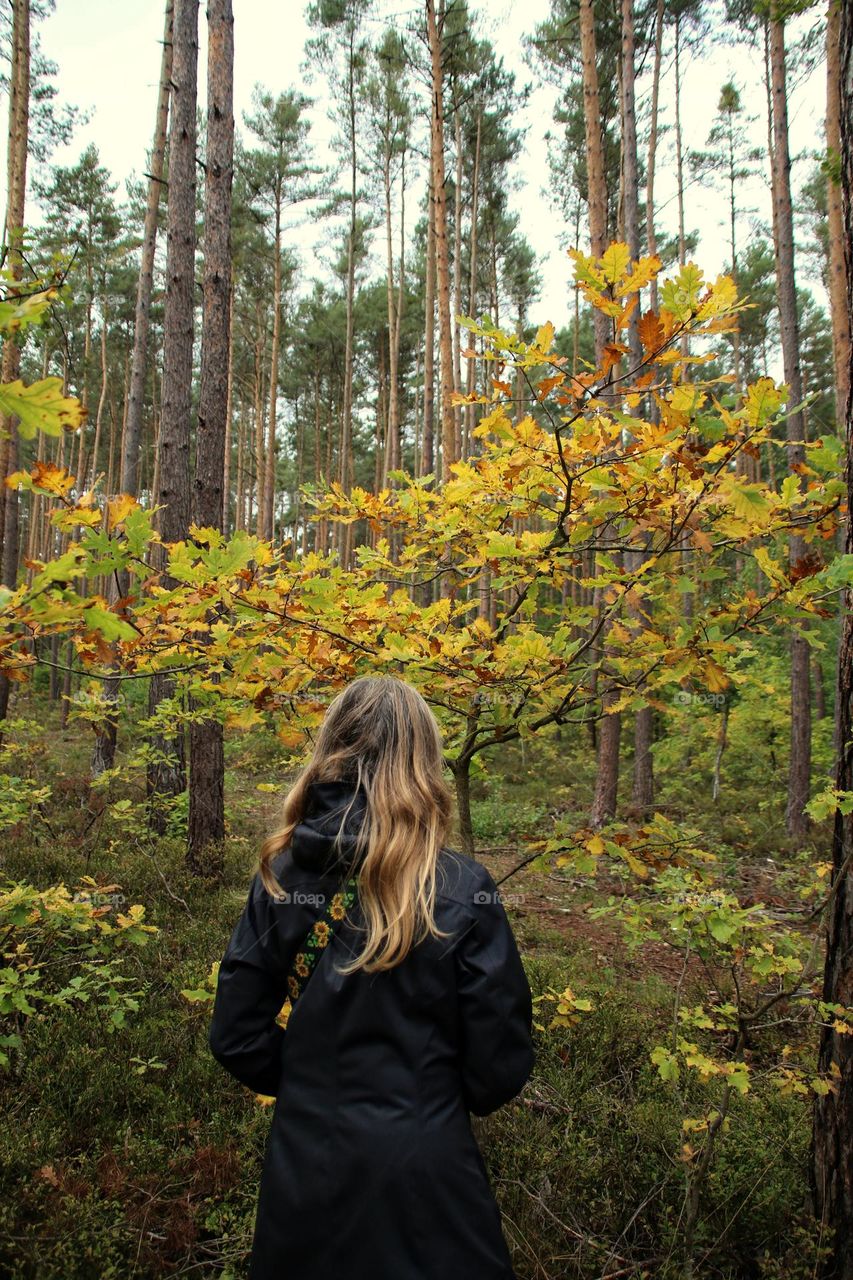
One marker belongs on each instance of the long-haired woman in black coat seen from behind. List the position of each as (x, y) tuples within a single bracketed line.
[(418, 1012)]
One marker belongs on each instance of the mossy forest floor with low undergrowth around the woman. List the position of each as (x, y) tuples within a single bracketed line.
[(133, 1155)]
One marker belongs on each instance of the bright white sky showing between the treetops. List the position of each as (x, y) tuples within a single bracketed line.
[(110, 56)]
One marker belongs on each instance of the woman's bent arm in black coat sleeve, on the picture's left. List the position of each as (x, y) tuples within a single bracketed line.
[(244, 1036)]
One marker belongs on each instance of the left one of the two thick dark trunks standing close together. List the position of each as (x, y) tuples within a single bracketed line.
[(167, 774)]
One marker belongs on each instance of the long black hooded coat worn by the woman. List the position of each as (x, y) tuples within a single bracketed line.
[(372, 1171)]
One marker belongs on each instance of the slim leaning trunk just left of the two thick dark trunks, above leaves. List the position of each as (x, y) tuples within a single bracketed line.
[(145, 285)]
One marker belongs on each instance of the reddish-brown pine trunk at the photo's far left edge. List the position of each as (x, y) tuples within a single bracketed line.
[(13, 234)]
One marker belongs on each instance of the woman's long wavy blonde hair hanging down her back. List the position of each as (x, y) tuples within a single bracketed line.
[(381, 735)]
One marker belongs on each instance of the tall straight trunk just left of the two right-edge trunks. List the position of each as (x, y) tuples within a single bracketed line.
[(801, 735)]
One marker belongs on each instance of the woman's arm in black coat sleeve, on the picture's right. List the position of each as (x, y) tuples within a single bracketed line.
[(496, 1008)]
